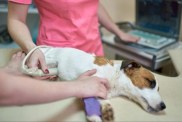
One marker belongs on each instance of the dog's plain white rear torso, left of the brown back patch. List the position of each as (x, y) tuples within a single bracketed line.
[(70, 62)]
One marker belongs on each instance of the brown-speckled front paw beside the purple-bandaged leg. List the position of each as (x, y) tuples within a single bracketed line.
[(107, 113)]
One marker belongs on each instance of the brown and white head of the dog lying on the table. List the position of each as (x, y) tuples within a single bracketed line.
[(143, 87)]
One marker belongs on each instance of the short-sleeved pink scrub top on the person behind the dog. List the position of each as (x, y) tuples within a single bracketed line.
[(69, 23)]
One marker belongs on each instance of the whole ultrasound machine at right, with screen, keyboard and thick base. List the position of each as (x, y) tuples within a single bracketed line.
[(158, 25)]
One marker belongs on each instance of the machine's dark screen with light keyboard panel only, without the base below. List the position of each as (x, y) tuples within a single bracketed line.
[(157, 22)]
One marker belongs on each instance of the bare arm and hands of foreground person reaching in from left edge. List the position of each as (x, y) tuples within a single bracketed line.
[(18, 89)]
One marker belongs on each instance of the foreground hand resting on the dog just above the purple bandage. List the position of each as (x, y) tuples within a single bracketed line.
[(90, 86)]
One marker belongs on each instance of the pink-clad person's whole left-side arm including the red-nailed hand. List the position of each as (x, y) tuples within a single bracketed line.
[(20, 33)]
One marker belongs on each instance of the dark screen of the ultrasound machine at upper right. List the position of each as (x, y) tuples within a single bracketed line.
[(160, 16)]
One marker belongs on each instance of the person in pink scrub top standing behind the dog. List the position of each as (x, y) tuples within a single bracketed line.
[(63, 23)]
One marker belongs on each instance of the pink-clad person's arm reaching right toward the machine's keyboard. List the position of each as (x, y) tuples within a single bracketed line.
[(108, 23)]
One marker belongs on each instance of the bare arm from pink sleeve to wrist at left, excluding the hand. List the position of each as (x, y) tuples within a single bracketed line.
[(17, 27)]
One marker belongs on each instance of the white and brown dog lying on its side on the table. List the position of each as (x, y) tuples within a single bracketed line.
[(128, 79)]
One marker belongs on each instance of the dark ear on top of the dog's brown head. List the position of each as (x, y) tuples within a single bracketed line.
[(129, 64)]
